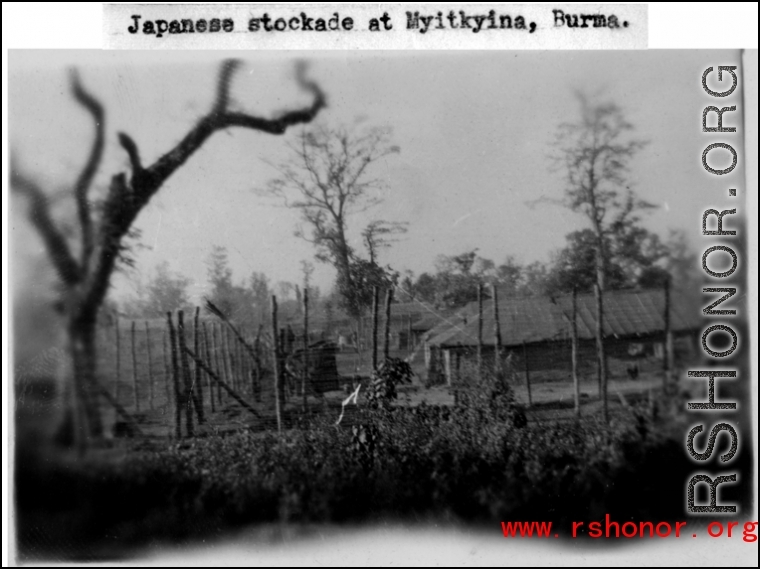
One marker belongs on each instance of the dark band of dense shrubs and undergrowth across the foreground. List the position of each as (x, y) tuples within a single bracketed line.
[(478, 462)]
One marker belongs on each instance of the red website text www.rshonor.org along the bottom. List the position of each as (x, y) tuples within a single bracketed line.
[(630, 529)]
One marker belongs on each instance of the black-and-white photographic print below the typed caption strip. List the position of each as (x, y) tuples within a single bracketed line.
[(275, 306)]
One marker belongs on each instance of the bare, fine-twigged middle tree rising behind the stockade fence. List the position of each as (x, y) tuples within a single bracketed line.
[(327, 178)]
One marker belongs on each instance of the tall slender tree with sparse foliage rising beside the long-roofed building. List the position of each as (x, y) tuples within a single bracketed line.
[(594, 153)]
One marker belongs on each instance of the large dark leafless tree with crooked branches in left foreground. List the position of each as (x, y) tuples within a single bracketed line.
[(85, 274)]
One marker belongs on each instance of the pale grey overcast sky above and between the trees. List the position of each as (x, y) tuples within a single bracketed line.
[(474, 129)]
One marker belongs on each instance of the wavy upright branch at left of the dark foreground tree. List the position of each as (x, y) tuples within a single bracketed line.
[(82, 186)]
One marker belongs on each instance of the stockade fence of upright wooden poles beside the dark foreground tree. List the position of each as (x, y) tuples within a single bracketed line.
[(198, 371)]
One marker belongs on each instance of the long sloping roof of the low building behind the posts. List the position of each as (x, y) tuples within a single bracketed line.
[(628, 313)]
